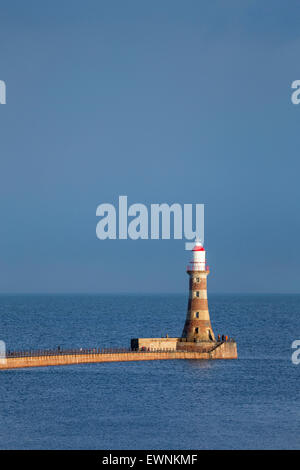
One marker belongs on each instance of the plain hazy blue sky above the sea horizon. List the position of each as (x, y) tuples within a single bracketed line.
[(165, 102)]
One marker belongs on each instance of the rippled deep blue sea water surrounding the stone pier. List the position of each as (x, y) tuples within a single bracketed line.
[(249, 403)]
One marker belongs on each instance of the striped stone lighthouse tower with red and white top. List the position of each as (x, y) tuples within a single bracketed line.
[(197, 326)]
